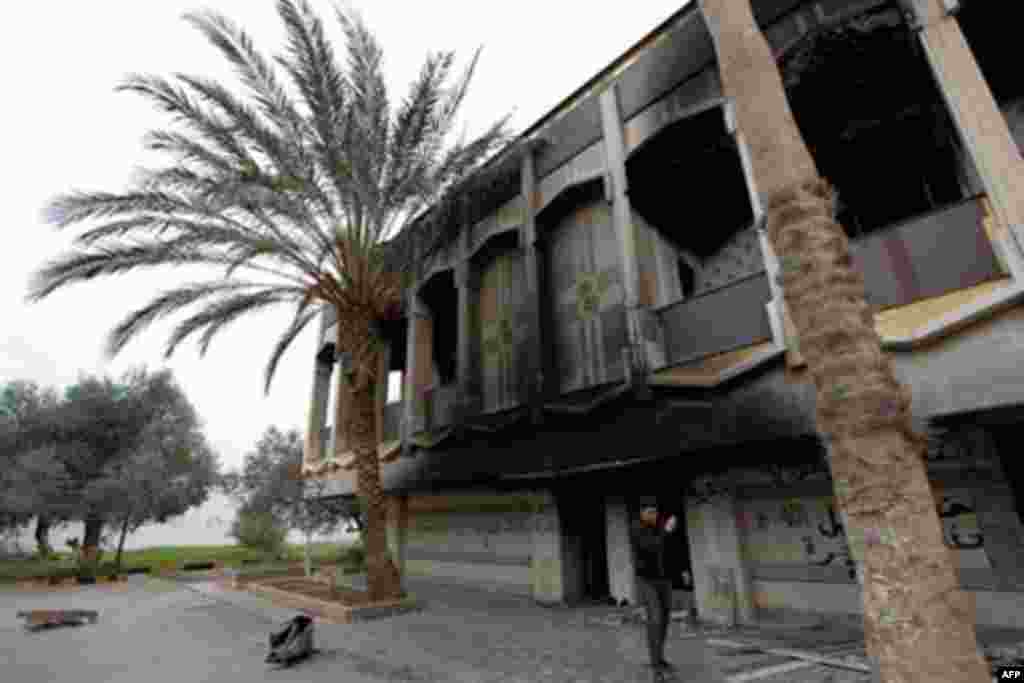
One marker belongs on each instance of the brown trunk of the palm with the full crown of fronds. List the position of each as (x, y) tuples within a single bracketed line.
[(361, 429)]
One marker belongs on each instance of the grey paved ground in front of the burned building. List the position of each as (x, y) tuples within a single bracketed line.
[(156, 631)]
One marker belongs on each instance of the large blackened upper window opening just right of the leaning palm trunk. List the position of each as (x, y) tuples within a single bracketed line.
[(866, 101)]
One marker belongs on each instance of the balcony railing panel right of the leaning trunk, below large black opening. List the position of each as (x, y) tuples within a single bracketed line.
[(927, 257)]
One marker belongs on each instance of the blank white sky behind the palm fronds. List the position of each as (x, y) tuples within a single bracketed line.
[(65, 129)]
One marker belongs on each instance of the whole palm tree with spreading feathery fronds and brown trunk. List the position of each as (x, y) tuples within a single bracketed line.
[(296, 192)]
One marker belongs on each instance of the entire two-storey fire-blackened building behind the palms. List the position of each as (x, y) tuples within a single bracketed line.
[(609, 325)]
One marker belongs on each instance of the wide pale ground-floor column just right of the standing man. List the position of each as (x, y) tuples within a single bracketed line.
[(724, 593)]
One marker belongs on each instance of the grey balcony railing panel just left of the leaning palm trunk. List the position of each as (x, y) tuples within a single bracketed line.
[(719, 321)]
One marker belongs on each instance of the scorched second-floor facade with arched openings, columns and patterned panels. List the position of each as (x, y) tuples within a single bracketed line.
[(625, 239)]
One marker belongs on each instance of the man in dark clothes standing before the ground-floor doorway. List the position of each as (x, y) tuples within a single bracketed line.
[(656, 587)]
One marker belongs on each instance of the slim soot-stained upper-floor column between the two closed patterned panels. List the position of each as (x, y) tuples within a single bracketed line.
[(529, 243)]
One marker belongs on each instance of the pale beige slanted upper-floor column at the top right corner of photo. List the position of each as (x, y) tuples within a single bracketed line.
[(982, 125)]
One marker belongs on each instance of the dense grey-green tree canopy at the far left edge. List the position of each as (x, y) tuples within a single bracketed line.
[(131, 451)]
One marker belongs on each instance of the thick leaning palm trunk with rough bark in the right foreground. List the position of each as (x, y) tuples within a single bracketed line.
[(919, 623)]
